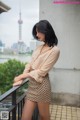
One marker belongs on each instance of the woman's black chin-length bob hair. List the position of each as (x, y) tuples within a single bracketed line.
[(45, 27)]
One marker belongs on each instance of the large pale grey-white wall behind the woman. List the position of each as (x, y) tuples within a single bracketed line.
[(65, 20)]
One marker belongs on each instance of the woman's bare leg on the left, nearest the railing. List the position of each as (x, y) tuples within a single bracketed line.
[(28, 110)]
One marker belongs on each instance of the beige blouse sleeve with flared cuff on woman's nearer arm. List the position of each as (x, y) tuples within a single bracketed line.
[(39, 74)]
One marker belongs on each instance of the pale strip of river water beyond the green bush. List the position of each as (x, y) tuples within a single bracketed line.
[(22, 58)]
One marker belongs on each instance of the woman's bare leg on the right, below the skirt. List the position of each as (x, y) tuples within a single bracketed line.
[(44, 111)]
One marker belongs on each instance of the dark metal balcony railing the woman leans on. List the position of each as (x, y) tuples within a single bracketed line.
[(14, 111)]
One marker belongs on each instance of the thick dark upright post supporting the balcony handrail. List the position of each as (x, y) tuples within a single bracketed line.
[(14, 103)]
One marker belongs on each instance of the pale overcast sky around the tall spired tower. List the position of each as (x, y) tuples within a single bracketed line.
[(9, 27)]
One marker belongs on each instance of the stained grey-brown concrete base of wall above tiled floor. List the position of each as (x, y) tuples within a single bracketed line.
[(66, 99)]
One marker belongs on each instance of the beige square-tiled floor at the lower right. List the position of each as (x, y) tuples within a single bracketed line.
[(58, 112)]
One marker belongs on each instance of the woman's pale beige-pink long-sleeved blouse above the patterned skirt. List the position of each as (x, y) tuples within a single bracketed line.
[(42, 61)]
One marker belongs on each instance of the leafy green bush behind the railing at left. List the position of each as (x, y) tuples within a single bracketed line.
[(8, 71)]
